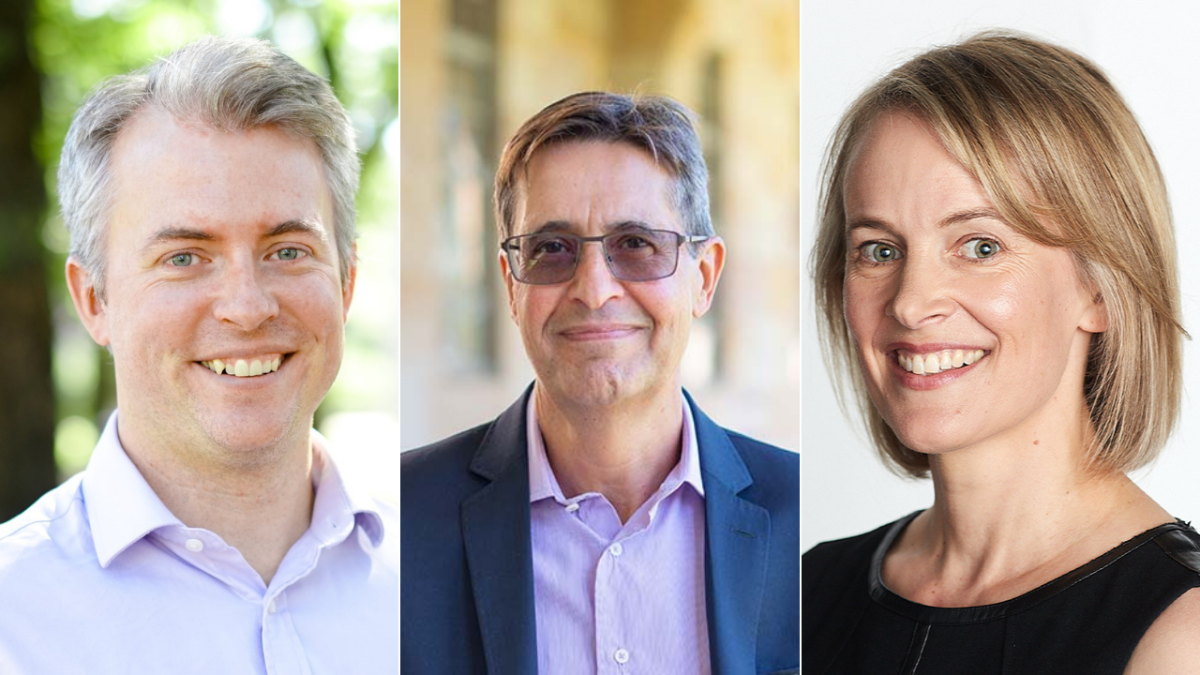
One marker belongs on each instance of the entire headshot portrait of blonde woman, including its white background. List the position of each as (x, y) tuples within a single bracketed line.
[(997, 304)]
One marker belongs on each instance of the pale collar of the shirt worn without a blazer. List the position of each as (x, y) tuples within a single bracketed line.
[(123, 507)]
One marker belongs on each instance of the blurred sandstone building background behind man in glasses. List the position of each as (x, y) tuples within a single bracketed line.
[(475, 70)]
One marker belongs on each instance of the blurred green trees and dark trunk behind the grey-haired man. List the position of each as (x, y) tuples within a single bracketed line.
[(56, 385)]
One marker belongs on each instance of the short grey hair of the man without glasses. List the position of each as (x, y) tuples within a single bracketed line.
[(223, 83)]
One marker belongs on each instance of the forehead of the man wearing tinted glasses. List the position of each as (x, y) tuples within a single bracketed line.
[(596, 184)]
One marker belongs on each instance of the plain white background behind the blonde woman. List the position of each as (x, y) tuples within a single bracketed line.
[(1149, 50)]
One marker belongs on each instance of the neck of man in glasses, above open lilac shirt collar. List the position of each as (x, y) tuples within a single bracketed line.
[(621, 452)]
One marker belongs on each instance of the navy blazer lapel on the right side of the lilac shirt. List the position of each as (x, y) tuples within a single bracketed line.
[(737, 546)]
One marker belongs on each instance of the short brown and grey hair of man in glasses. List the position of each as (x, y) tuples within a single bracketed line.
[(661, 127)]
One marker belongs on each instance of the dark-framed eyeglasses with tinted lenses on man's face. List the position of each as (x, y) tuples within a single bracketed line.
[(632, 255)]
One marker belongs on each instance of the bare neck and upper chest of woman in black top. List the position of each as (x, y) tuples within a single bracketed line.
[(1010, 516)]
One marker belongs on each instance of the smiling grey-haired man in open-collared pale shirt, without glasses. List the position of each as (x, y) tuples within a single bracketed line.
[(211, 204)]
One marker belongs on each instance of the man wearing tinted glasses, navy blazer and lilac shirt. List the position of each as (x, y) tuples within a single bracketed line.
[(603, 524)]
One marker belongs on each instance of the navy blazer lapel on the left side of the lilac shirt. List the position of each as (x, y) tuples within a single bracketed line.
[(496, 535)]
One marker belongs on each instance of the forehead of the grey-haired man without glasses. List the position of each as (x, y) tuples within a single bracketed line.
[(171, 172)]
